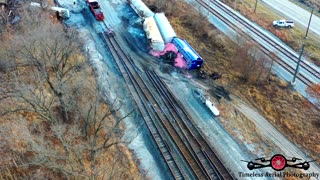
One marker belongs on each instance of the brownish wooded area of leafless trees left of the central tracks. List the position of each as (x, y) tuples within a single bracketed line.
[(54, 121)]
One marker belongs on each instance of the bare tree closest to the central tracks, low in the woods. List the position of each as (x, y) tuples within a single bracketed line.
[(100, 130)]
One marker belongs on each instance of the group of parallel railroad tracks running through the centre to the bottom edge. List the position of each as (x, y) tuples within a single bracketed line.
[(186, 157)]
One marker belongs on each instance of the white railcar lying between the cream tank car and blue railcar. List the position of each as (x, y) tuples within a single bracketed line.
[(165, 27)]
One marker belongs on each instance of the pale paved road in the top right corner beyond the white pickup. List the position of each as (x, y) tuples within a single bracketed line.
[(296, 13)]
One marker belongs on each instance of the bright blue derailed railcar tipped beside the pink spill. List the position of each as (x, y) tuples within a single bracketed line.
[(191, 57)]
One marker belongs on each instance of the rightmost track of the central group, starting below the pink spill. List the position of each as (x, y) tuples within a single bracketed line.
[(211, 162)]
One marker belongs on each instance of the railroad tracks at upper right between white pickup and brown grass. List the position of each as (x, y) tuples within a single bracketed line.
[(278, 46)]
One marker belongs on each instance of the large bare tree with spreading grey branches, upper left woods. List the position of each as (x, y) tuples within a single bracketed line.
[(51, 57)]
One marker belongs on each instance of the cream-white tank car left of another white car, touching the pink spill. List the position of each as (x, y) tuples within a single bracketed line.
[(153, 34)]
